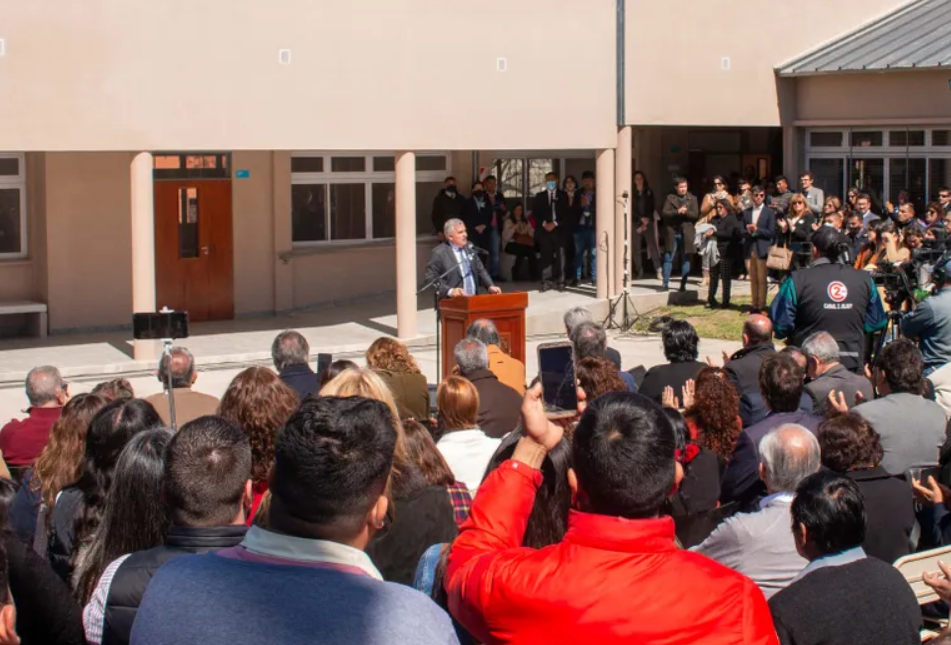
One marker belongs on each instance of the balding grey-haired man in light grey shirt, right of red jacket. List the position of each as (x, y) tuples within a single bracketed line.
[(761, 545)]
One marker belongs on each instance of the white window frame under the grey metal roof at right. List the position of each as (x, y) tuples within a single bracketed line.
[(886, 152)]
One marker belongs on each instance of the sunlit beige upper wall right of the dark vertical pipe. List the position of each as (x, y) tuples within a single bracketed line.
[(674, 63)]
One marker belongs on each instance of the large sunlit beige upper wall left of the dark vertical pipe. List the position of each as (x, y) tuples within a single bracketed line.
[(371, 75)]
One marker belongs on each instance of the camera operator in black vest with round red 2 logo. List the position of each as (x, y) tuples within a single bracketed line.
[(829, 296)]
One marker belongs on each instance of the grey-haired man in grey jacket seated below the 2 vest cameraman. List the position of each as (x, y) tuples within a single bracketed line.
[(828, 374)]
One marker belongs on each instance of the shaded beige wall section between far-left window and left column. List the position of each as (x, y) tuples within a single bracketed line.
[(88, 239)]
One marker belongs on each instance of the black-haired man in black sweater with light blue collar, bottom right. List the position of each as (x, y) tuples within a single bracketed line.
[(842, 597)]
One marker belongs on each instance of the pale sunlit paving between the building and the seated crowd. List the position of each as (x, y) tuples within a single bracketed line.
[(222, 349)]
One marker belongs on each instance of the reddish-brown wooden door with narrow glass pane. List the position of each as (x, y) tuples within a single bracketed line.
[(194, 252)]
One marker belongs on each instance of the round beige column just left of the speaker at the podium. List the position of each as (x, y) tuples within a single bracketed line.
[(406, 324)]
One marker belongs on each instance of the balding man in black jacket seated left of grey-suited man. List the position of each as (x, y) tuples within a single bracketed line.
[(742, 368)]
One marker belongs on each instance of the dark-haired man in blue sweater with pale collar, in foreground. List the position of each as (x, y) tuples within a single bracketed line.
[(328, 499)]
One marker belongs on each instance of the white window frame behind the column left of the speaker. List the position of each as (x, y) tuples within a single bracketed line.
[(367, 177)]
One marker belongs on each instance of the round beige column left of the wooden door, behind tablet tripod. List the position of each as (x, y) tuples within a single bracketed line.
[(143, 247)]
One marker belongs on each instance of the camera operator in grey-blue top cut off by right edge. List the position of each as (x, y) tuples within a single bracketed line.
[(930, 322)]
